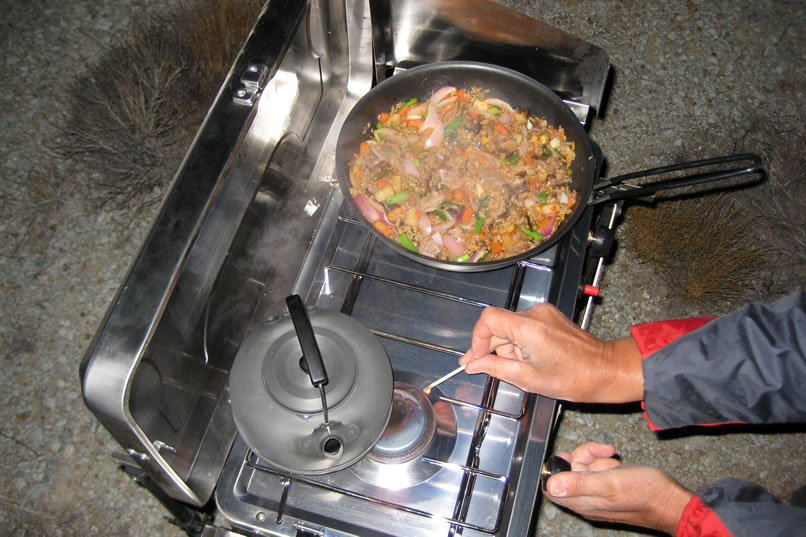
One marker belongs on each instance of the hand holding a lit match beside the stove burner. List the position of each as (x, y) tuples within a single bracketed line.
[(542, 351)]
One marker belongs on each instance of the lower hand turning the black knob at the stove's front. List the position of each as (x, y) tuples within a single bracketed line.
[(599, 487)]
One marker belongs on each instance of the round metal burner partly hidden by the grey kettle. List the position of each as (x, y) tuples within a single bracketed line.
[(411, 427)]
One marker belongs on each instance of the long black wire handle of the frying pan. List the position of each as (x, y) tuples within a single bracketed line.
[(617, 188)]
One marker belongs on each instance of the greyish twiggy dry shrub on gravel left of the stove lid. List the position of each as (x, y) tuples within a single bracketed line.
[(127, 120)]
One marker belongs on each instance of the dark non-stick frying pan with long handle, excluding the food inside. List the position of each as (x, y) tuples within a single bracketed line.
[(524, 93)]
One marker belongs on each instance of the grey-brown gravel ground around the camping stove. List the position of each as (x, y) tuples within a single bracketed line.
[(686, 75)]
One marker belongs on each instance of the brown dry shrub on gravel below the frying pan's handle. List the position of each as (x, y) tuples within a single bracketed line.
[(703, 246)]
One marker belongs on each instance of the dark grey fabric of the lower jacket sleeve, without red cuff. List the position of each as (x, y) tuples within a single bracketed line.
[(748, 510)]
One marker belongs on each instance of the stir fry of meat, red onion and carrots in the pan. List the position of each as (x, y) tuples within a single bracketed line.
[(463, 177)]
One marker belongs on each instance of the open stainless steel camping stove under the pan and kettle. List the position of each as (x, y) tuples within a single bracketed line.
[(255, 214)]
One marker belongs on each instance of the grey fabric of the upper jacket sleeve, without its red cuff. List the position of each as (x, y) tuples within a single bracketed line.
[(748, 366)]
